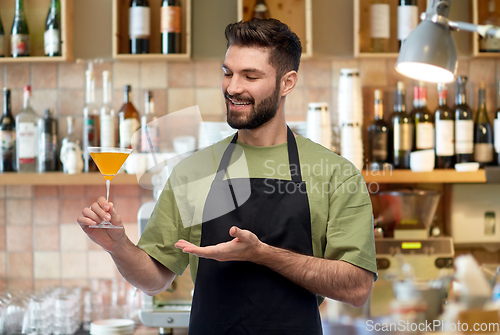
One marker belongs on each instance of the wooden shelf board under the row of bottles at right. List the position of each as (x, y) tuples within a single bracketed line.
[(446, 176)]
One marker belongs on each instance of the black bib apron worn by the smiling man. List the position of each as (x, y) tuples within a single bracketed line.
[(243, 297)]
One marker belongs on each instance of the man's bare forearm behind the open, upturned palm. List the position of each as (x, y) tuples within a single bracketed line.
[(333, 279)]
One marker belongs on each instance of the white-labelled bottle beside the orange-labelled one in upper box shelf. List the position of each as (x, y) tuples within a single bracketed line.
[(139, 26)]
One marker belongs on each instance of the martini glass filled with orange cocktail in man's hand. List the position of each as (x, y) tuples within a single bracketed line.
[(109, 161)]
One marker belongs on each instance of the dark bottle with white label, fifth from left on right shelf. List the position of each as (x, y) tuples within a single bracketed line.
[(464, 126)]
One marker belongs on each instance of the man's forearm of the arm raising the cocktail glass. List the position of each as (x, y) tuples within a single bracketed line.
[(139, 269)]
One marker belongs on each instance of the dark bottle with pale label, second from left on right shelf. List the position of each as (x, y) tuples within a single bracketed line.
[(402, 130)]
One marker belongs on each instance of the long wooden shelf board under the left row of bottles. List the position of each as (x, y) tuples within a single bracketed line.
[(60, 178)]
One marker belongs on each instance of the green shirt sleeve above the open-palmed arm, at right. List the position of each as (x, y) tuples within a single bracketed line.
[(350, 224)]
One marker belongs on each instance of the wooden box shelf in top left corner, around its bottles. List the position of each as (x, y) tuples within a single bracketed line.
[(36, 14)]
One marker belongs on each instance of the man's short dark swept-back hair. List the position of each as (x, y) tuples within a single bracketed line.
[(271, 33)]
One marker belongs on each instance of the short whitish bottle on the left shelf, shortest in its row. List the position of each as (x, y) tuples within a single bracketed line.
[(70, 145)]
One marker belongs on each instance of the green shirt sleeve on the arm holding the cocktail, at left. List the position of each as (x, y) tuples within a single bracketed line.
[(163, 230)]
